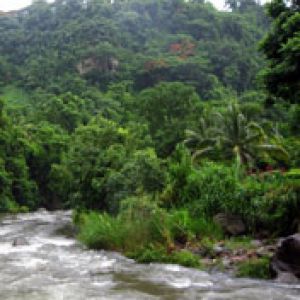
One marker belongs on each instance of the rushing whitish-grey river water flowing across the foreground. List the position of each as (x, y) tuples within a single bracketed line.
[(56, 267)]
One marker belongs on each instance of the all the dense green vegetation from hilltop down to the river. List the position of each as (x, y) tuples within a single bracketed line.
[(148, 118)]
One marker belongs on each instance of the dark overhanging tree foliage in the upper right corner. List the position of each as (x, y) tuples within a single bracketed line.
[(282, 49)]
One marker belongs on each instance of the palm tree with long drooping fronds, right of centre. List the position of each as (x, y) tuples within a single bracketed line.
[(236, 137)]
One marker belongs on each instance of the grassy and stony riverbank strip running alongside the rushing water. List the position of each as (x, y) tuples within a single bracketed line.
[(147, 240)]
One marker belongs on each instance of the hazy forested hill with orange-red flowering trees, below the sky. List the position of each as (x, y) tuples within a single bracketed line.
[(56, 46)]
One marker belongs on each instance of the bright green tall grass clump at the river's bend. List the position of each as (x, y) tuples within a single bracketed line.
[(142, 231)]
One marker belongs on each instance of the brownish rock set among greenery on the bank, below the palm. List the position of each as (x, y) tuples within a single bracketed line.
[(231, 224)]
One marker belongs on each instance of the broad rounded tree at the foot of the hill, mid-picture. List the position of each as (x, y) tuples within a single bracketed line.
[(168, 108)]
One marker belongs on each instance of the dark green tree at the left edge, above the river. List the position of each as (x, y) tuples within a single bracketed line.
[(16, 186)]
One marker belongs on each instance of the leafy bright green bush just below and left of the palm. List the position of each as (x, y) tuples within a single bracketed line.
[(206, 191)]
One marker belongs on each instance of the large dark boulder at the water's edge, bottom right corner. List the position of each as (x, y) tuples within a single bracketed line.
[(287, 258)]
